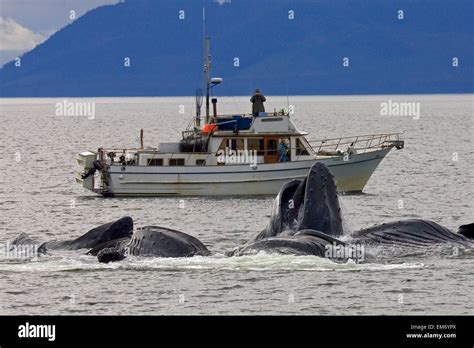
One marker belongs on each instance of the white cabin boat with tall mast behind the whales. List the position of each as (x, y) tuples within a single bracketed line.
[(232, 155)]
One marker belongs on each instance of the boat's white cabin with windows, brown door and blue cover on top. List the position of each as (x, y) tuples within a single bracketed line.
[(230, 140)]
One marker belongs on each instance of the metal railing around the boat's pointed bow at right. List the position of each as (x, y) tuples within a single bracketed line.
[(358, 143)]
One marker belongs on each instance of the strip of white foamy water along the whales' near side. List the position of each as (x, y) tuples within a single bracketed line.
[(260, 262)]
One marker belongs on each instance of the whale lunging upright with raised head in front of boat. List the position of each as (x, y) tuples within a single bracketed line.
[(305, 220)]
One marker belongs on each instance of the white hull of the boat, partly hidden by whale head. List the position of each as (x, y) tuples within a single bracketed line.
[(235, 180)]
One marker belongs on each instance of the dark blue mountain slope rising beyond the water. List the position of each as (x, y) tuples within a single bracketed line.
[(281, 56)]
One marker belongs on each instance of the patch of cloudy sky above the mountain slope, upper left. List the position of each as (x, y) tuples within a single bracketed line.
[(26, 23)]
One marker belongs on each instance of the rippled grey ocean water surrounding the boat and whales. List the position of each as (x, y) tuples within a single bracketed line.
[(431, 178)]
